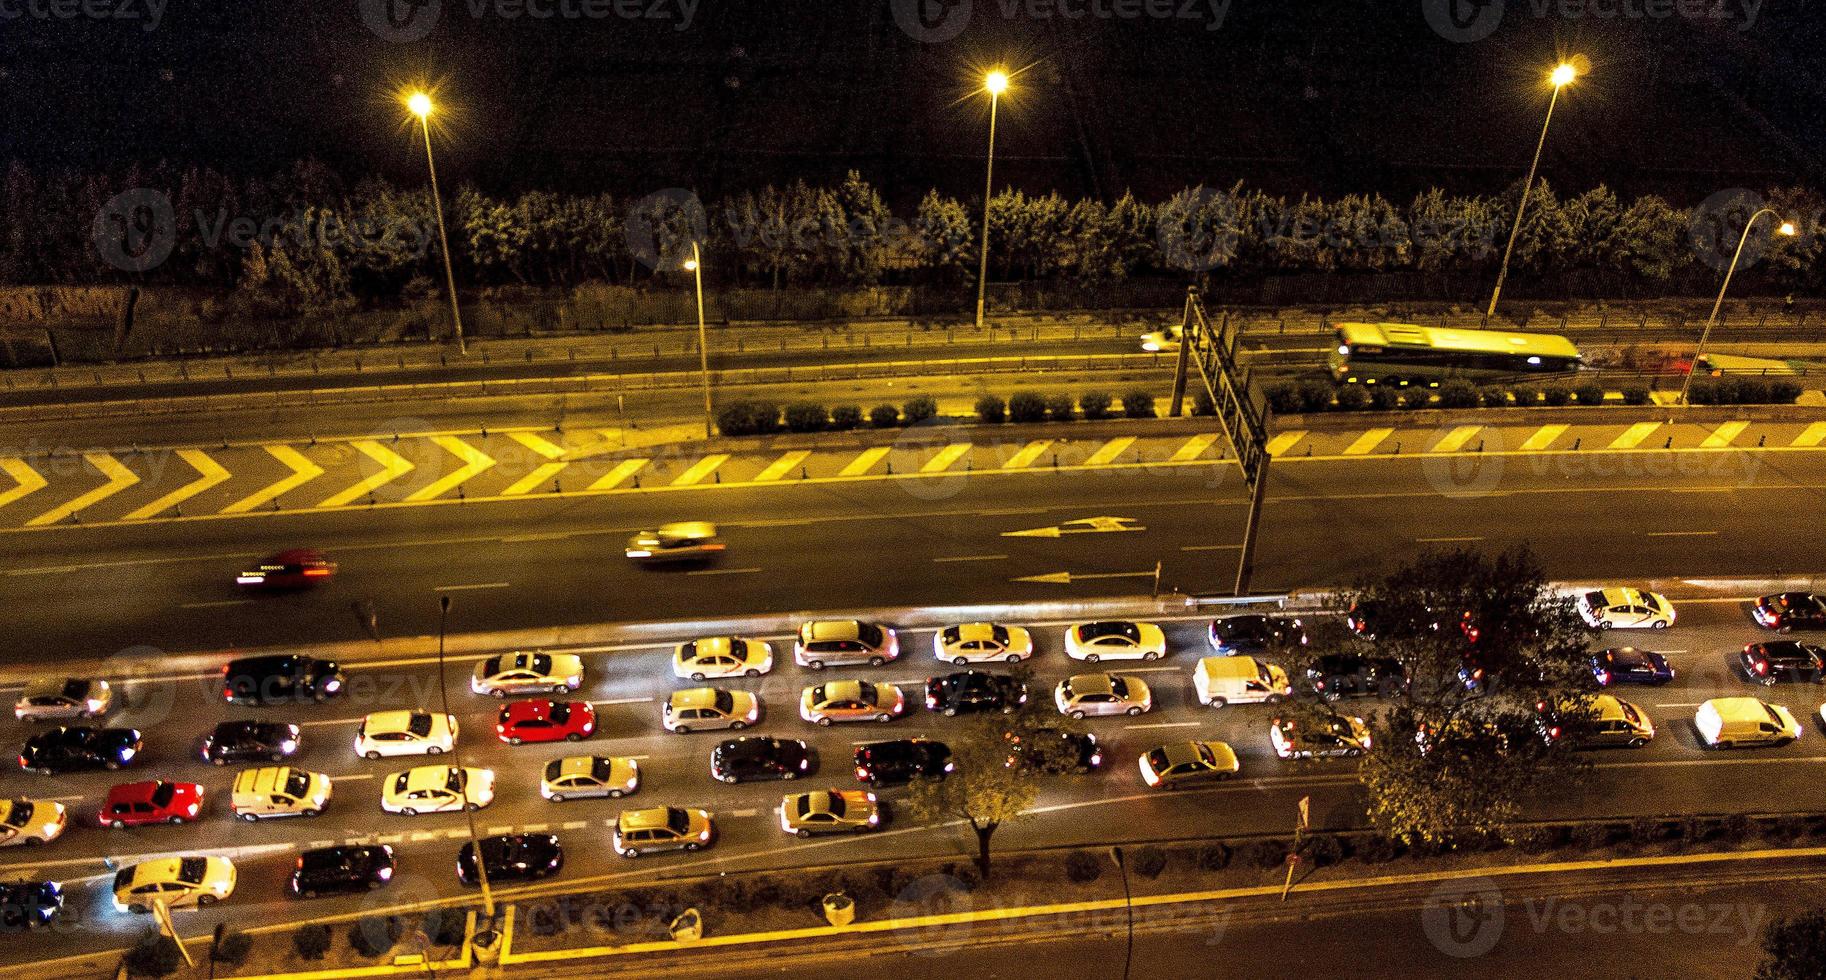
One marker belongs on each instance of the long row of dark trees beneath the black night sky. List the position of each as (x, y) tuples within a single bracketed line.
[(306, 240)]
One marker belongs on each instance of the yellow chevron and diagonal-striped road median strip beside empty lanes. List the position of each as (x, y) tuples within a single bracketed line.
[(98, 488)]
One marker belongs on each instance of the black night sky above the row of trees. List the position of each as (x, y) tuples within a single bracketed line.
[(1149, 96)]
